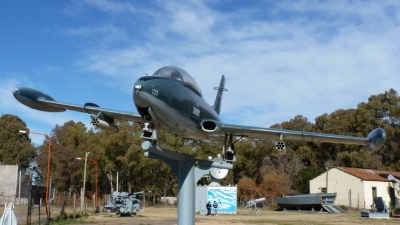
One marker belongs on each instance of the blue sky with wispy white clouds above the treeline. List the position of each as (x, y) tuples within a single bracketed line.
[(280, 58)]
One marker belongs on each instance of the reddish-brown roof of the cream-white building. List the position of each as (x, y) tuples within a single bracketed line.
[(368, 174)]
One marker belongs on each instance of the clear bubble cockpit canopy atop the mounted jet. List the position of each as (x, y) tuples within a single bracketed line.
[(176, 73)]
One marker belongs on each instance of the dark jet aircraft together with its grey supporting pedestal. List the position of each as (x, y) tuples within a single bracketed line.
[(171, 100)]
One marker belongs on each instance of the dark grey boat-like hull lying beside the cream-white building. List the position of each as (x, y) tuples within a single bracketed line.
[(309, 202)]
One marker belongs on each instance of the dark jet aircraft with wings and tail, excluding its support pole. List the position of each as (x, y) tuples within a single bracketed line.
[(171, 100)]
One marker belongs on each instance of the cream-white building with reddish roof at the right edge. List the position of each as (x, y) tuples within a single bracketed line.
[(356, 187)]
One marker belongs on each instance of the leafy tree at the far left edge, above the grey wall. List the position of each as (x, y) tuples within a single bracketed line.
[(15, 148)]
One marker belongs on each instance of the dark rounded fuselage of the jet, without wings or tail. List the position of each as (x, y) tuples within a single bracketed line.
[(170, 103)]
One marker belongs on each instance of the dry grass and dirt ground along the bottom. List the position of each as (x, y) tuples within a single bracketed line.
[(168, 216)]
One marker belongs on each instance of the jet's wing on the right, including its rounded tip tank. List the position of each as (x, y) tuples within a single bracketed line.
[(374, 140)]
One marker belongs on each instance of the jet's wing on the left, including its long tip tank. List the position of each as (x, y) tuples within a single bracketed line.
[(40, 101)]
